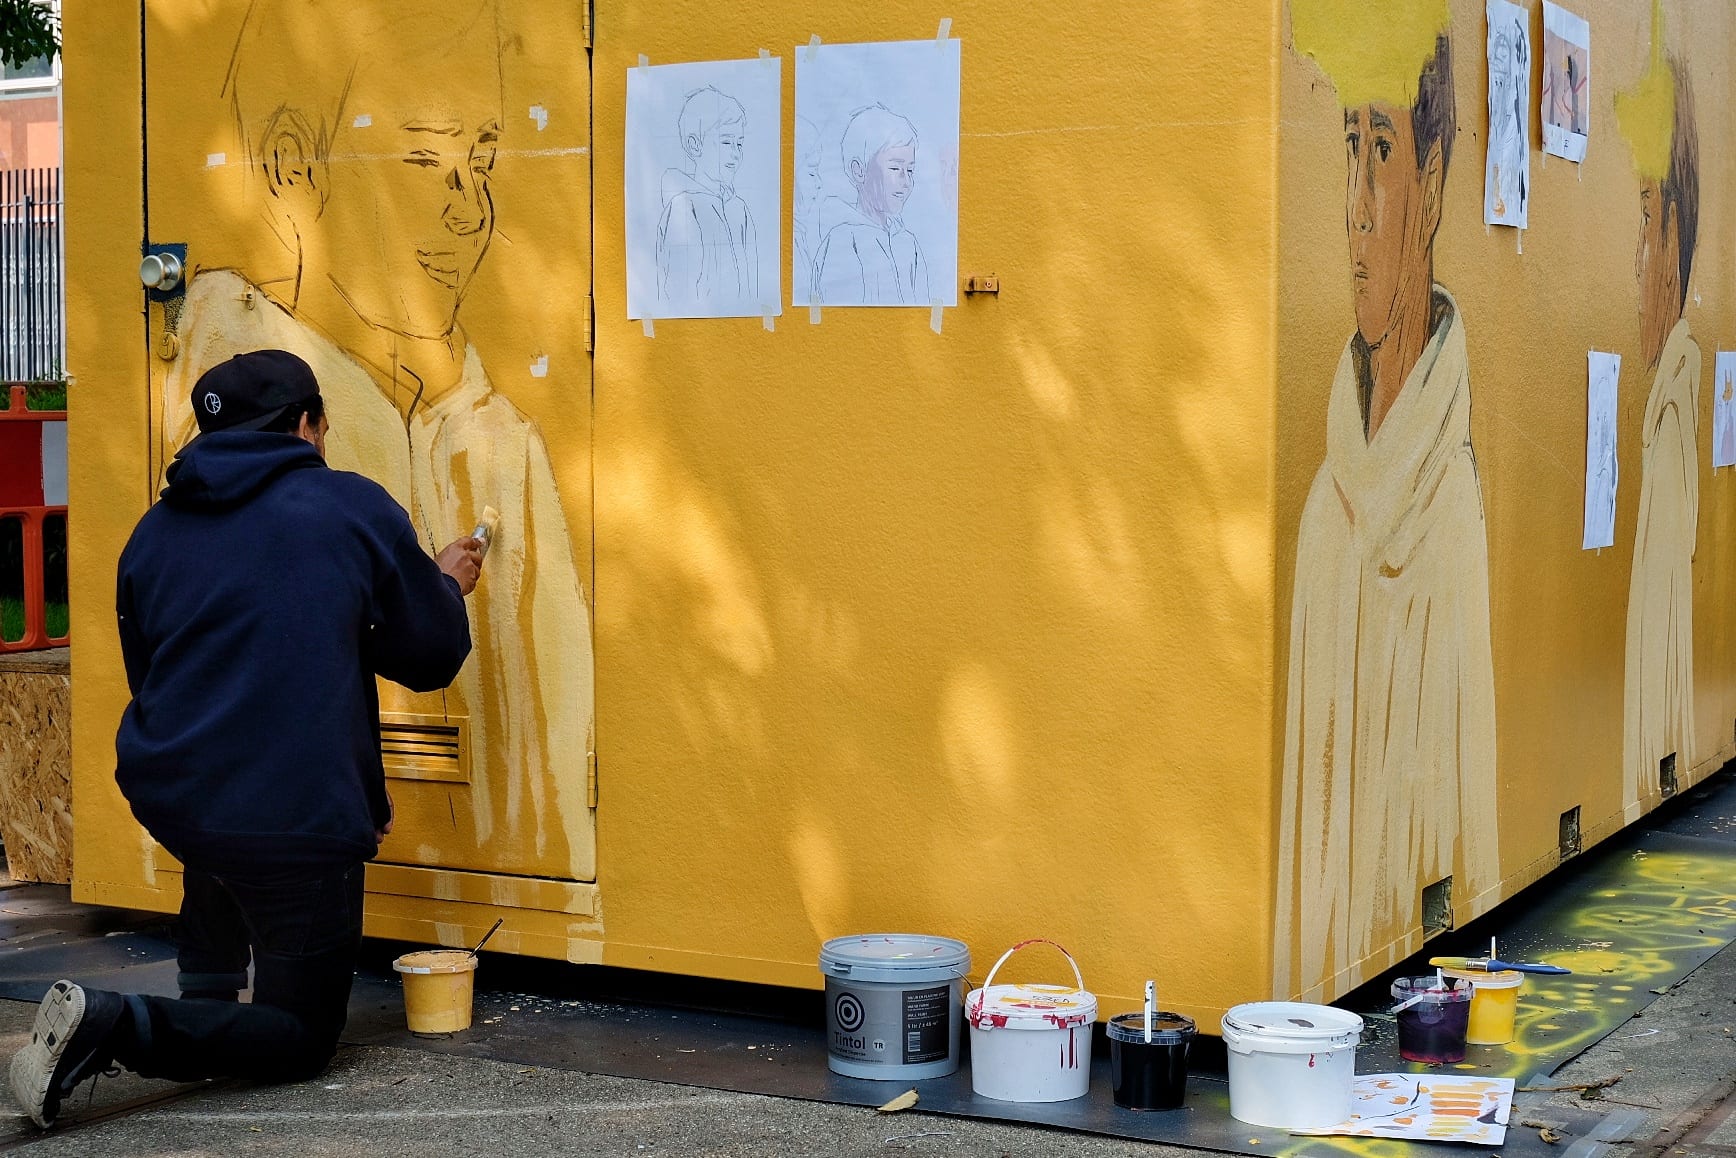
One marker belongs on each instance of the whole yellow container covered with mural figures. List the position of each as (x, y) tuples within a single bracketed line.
[(1173, 602)]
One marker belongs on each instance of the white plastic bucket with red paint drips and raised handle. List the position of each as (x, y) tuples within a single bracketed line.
[(1030, 1043)]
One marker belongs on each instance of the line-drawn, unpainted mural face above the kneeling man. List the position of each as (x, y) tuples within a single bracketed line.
[(407, 225)]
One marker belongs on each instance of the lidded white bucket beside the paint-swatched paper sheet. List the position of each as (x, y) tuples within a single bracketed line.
[(1291, 1065)]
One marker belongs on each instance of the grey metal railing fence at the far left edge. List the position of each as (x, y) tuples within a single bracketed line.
[(32, 319)]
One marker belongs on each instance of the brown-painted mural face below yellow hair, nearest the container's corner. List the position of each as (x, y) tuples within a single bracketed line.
[(1386, 214)]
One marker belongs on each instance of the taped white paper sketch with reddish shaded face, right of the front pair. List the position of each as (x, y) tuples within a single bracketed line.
[(879, 124)]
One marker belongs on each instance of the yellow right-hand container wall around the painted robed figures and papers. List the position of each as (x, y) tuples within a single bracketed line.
[(1558, 614)]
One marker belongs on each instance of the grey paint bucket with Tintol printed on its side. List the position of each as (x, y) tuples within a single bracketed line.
[(893, 1004)]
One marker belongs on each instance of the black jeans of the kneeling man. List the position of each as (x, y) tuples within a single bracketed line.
[(303, 933)]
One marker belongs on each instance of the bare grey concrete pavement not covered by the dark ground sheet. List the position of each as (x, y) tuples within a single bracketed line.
[(1676, 1062)]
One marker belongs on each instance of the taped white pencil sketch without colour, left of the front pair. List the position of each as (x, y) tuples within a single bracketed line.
[(702, 190)]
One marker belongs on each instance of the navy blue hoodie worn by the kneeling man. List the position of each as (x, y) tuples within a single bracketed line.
[(256, 603)]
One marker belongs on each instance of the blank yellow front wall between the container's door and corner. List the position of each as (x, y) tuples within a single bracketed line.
[(961, 633)]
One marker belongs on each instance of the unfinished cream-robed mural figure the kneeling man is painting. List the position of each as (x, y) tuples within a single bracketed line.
[(371, 136)]
